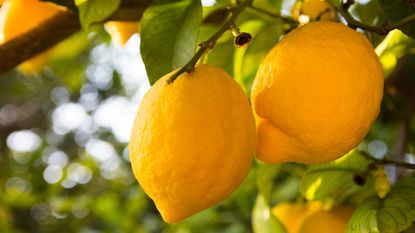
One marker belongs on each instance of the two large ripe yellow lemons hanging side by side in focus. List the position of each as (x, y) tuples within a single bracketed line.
[(314, 99)]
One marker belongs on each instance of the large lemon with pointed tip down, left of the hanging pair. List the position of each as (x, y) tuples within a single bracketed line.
[(193, 141)]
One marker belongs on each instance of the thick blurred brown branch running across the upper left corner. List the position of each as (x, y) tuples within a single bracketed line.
[(55, 30)]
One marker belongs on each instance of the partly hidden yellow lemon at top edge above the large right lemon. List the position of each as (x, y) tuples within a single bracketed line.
[(315, 10)]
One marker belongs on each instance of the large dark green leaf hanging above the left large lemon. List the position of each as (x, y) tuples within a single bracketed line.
[(169, 32)]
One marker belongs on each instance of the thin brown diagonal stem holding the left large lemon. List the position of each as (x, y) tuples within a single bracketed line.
[(211, 42)]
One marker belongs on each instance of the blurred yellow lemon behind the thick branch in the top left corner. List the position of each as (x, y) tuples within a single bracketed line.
[(20, 16)]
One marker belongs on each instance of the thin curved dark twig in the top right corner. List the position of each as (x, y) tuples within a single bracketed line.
[(381, 30)]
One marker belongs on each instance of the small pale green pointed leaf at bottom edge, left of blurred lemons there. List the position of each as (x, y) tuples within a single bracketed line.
[(263, 221)]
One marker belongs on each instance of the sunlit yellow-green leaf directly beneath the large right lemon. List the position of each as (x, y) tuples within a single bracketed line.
[(323, 181)]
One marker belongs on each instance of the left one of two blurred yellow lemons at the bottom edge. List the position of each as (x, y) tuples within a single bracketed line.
[(291, 215)]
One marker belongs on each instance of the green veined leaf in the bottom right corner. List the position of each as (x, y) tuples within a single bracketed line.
[(393, 214)]
